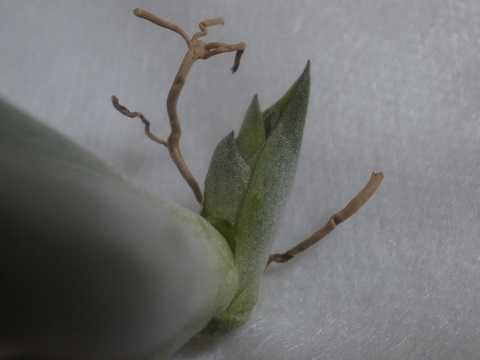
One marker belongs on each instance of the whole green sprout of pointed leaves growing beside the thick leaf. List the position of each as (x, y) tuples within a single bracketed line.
[(247, 185)]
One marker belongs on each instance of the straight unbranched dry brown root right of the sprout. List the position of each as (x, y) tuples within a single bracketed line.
[(352, 207)]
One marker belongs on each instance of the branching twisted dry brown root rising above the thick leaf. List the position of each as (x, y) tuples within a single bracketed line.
[(197, 49)]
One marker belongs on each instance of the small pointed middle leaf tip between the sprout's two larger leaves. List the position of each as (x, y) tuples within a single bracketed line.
[(251, 137)]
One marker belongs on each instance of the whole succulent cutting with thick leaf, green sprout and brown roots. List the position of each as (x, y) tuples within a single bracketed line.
[(94, 268)]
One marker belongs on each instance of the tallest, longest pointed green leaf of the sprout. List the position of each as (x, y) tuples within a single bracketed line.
[(266, 195)]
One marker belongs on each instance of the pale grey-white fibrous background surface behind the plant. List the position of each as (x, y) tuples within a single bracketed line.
[(395, 87)]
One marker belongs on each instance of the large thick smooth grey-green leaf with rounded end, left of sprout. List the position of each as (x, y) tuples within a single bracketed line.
[(91, 267)]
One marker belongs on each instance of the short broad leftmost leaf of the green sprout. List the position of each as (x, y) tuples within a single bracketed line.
[(225, 184)]
